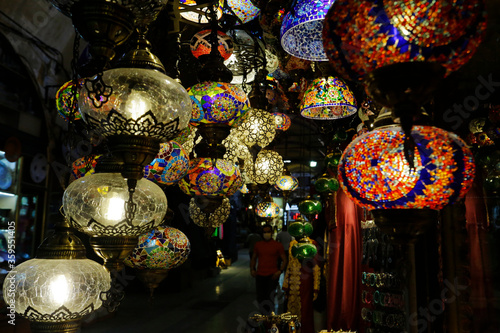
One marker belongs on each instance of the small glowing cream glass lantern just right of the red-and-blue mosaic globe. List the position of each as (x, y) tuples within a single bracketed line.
[(268, 167)]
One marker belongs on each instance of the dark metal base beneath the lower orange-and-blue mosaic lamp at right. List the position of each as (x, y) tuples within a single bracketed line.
[(404, 226)]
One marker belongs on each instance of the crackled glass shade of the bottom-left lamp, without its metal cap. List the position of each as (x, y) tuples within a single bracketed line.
[(56, 290)]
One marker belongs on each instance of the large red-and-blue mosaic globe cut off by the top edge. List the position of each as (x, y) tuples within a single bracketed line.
[(360, 36)]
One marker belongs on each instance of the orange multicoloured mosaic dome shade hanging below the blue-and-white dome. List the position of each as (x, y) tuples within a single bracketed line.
[(328, 98)]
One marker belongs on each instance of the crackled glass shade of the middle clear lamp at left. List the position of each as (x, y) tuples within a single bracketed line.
[(96, 205)]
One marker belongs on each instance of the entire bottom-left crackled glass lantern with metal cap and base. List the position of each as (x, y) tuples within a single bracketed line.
[(59, 287)]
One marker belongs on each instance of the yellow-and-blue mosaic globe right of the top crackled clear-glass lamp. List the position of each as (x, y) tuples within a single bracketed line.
[(217, 103)]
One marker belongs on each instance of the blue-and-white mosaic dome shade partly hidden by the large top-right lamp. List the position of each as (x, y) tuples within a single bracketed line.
[(301, 31)]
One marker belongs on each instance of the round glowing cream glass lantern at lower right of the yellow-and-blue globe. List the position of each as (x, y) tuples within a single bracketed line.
[(258, 128)]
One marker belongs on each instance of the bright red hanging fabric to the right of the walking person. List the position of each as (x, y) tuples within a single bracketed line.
[(344, 267)]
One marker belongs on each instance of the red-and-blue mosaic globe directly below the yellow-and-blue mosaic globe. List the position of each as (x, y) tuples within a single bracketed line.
[(211, 177)]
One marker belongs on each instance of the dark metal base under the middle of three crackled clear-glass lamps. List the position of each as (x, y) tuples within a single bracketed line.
[(113, 250)]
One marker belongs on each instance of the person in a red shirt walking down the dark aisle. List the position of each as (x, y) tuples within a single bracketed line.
[(264, 267)]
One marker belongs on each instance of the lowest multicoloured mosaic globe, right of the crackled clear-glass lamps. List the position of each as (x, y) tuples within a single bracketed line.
[(162, 248)]
